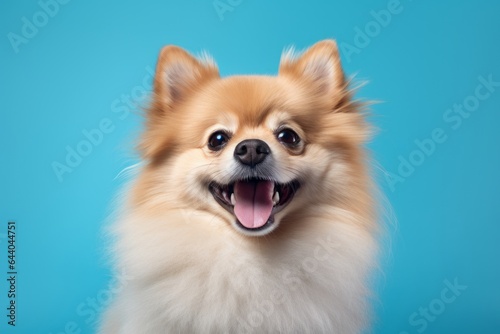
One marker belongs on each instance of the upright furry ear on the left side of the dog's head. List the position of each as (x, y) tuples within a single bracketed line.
[(178, 74)]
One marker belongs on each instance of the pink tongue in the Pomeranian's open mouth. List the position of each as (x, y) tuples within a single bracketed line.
[(254, 202)]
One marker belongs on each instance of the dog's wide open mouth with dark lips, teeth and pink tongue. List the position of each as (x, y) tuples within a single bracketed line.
[(255, 201)]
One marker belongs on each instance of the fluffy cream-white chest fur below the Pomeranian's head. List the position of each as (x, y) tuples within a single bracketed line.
[(189, 277)]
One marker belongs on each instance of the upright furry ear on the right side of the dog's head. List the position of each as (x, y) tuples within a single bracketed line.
[(318, 66)]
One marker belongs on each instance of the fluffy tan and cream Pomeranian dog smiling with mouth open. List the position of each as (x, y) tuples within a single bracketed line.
[(253, 211)]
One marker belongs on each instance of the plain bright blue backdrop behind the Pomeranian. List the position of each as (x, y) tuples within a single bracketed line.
[(71, 74)]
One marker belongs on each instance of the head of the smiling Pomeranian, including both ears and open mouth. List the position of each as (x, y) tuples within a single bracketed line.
[(251, 149)]
